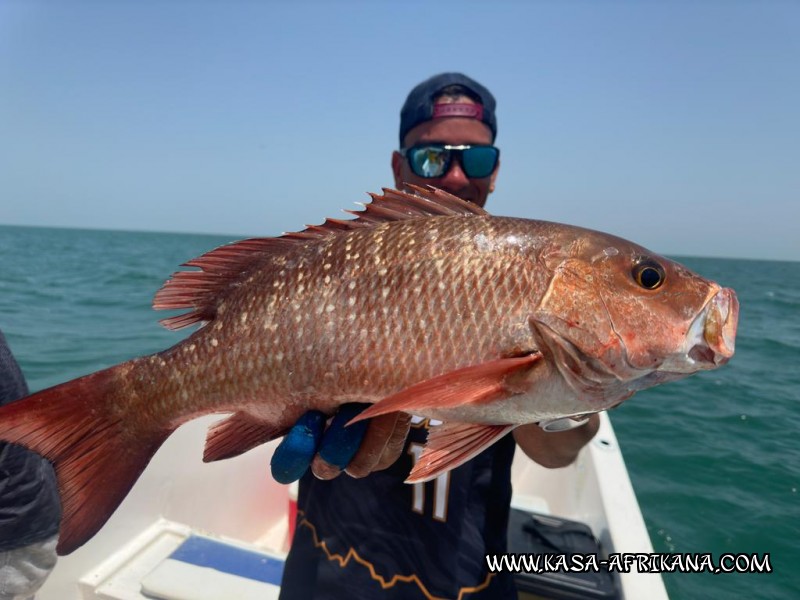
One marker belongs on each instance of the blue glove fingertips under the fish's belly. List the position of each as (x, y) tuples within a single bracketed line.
[(337, 445)]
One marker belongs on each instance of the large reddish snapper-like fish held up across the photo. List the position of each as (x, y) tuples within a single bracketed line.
[(423, 303)]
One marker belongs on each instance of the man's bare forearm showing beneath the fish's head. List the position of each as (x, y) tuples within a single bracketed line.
[(555, 449)]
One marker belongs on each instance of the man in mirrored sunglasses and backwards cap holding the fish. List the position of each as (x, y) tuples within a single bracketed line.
[(376, 537)]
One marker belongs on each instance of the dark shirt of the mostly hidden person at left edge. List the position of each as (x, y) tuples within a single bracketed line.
[(30, 510)]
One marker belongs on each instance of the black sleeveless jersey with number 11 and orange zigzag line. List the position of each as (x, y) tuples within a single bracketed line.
[(379, 538)]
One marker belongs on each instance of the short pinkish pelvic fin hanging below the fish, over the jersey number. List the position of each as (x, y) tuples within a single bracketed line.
[(453, 444)]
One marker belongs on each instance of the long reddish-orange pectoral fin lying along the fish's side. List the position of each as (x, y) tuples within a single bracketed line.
[(475, 384)]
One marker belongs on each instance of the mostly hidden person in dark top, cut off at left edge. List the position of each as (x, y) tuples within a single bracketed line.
[(29, 507)]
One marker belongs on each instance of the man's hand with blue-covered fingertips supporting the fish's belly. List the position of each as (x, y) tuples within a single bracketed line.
[(359, 449)]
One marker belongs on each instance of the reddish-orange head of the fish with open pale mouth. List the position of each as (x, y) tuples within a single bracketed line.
[(619, 318)]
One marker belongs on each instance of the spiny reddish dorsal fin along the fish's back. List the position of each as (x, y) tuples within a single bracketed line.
[(199, 290)]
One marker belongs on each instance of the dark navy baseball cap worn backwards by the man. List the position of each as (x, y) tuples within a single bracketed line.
[(419, 106)]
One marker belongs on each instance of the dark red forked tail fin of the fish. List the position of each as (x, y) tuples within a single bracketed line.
[(80, 427)]
